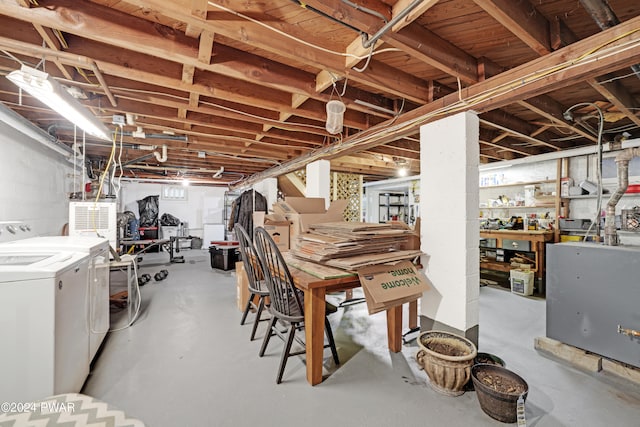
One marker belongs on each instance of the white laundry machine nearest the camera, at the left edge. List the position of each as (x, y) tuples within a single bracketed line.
[(43, 331)]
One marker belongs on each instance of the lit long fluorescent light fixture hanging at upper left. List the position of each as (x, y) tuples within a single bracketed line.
[(40, 85)]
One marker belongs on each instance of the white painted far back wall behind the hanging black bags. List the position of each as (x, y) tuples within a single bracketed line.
[(204, 205)]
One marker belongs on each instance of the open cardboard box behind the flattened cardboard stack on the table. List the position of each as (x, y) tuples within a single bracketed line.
[(304, 211)]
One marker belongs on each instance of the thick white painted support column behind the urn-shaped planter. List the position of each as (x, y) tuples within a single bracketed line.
[(449, 156)]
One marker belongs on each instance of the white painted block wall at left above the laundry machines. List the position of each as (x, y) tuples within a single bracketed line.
[(36, 183)]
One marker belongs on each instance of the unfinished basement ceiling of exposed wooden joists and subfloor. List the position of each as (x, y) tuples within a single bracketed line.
[(241, 86)]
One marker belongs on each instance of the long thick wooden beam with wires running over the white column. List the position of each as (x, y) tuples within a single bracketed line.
[(536, 77)]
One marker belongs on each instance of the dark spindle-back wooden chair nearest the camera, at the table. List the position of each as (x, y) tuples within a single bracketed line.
[(287, 305)]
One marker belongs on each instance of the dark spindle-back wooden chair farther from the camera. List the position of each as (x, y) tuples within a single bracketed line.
[(255, 276)]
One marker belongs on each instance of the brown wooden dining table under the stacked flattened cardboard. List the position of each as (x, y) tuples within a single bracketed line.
[(315, 290)]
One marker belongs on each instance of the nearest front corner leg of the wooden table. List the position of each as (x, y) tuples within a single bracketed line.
[(314, 312)]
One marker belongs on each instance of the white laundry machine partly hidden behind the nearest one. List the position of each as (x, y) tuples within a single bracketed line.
[(97, 279)]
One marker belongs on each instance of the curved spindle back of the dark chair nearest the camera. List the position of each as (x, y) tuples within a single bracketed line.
[(286, 299)]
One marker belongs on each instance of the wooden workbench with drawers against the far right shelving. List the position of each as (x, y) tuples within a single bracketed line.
[(509, 240)]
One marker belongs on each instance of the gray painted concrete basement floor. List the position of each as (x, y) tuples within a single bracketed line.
[(187, 362)]
